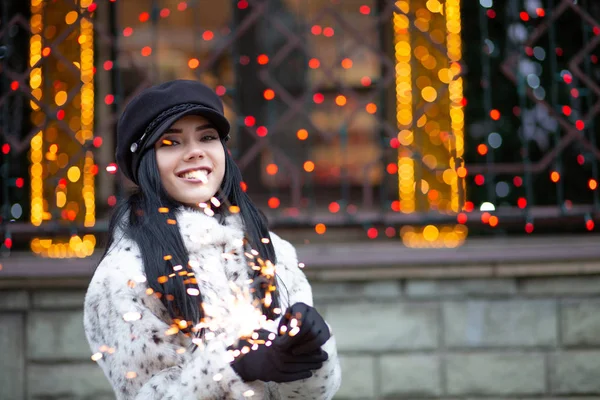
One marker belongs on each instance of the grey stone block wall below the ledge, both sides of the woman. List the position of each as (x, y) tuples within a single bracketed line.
[(460, 338)]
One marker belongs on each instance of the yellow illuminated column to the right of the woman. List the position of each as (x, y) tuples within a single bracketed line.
[(430, 117)]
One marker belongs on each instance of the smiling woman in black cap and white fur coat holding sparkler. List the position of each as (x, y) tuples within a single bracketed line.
[(194, 298)]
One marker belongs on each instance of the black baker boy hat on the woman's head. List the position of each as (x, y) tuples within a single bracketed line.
[(154, 110)]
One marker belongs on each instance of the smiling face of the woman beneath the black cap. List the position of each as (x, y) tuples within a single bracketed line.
[(191, 160)]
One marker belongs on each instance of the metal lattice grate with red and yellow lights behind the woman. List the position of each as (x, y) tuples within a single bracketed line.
[(409, 118)]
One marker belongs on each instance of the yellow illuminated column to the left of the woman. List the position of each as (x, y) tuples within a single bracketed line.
[(62, 170)]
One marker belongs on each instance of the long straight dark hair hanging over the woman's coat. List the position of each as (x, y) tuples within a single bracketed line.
[(139, 218)]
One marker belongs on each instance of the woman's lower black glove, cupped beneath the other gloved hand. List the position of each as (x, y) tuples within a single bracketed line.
[(272, 363)]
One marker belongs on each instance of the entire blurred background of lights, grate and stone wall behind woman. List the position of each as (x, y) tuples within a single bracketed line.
[(434, 161)]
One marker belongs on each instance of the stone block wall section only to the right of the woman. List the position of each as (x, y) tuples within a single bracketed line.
[(466, 338)]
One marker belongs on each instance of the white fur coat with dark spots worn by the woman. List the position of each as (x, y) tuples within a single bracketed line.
[(127, 329)]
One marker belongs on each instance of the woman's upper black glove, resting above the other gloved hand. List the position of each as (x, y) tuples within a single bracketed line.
[(303, 330)]
